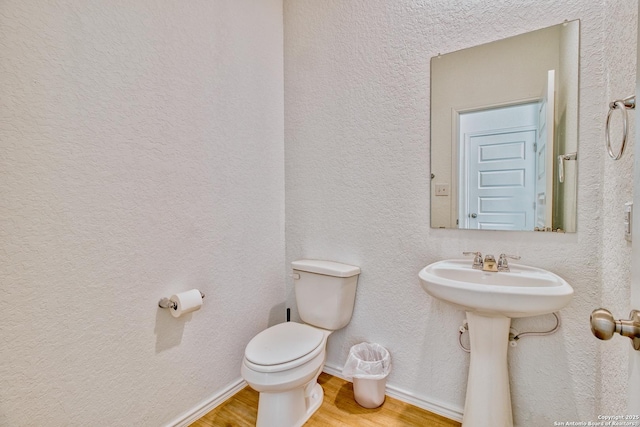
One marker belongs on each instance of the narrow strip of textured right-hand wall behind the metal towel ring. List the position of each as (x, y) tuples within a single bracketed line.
[(620, 70)]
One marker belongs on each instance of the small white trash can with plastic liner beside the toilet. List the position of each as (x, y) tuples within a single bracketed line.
[(368, 365)]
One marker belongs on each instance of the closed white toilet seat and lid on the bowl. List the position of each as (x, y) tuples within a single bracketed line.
[(283, 346)]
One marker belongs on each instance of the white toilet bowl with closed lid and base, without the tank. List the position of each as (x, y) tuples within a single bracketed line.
[(283, 363)]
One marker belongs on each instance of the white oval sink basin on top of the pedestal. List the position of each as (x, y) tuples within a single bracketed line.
[(523, 291)]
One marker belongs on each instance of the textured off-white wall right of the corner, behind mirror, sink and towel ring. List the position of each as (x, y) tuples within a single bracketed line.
[(357, 190)]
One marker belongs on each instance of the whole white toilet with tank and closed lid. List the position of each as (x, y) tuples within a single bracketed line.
[(283, 362)]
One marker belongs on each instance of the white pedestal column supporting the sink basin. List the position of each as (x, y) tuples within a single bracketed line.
[(488, 400)]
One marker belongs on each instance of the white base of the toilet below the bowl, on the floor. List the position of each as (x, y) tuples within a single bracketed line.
[(289, 409)]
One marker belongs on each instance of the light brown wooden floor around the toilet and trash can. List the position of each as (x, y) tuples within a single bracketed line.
[(338, 409)]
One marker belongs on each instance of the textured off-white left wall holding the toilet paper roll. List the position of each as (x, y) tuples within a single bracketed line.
[(141, 153)]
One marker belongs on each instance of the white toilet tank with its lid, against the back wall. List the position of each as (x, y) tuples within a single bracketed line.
[(325, 292)]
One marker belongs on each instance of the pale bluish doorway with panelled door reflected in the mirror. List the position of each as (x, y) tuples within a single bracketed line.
[(497, 168)]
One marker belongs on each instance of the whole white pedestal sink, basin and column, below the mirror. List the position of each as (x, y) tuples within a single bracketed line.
[(491, 300)]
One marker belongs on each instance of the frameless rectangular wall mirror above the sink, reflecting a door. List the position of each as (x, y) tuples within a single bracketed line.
[(504, 133)]
